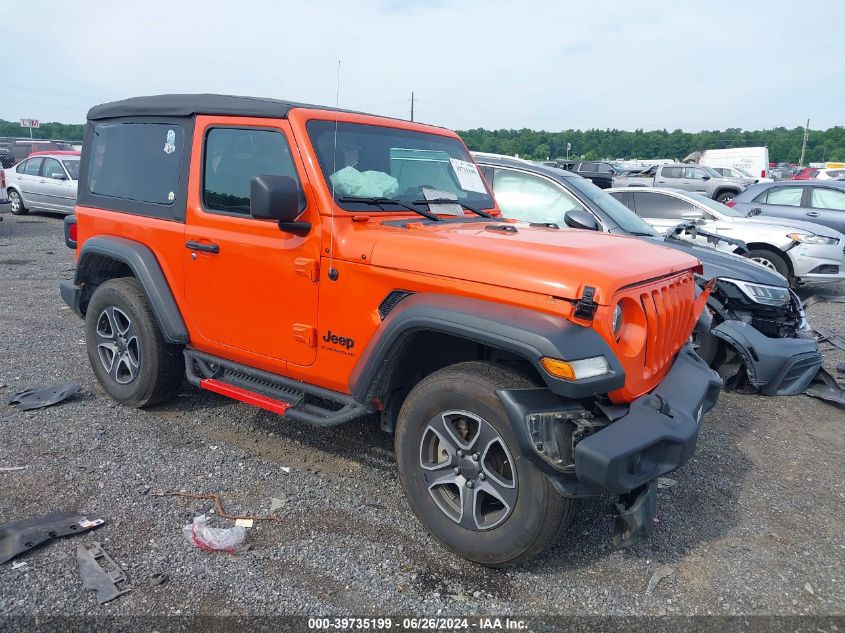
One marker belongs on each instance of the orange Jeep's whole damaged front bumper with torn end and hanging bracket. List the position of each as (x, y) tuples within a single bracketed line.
[(625, 451)]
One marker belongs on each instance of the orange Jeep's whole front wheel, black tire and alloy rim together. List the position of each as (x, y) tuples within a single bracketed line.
[(538, 513)]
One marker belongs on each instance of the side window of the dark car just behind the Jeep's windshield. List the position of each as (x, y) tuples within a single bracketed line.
[(532, 198)]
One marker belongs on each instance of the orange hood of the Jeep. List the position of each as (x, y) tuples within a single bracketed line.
[(552, 262)]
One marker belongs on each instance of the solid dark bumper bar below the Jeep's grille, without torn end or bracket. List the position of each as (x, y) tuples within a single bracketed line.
[(658, 434)]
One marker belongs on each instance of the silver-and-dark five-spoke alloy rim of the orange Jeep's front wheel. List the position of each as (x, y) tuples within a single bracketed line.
[(468, 469)]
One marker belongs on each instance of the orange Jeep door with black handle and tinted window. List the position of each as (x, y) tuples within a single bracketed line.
[(251, 287)]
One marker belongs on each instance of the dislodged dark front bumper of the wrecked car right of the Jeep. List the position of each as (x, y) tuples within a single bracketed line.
[(776, 366)]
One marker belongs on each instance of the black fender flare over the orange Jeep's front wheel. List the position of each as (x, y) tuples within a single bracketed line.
[(527, 333)]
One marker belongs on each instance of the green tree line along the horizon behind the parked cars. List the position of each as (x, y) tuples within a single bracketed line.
[(784, 144)]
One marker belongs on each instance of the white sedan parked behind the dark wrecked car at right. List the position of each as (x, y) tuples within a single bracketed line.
[(803, 252)]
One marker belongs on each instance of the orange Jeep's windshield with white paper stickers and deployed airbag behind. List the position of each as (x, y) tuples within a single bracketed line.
[(371, 161)]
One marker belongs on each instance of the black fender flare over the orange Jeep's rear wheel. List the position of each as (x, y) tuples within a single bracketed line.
[(146, 269)]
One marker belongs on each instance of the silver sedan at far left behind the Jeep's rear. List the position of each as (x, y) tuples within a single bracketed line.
[(44, 182)]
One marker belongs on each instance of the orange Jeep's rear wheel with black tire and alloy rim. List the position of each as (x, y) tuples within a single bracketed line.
[(144, 370)]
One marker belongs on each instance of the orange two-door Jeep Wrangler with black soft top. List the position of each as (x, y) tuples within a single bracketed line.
[(325, 265)]
